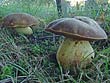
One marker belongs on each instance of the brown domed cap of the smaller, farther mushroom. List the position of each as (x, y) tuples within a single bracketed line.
[(19, 20)]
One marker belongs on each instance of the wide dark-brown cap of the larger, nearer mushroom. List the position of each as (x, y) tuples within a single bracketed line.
[(79, 27)]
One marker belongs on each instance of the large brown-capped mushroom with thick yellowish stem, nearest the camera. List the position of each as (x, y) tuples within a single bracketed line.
[(75, 50)]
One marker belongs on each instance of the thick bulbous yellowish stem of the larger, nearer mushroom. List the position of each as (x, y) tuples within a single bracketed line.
[(74, 53)]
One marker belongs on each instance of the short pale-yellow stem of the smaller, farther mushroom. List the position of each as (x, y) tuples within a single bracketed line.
[(27, 30)]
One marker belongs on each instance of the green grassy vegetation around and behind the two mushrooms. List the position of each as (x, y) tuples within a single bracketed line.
[(25, 61)]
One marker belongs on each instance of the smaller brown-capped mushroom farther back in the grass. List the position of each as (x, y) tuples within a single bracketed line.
[(20, 22)]
